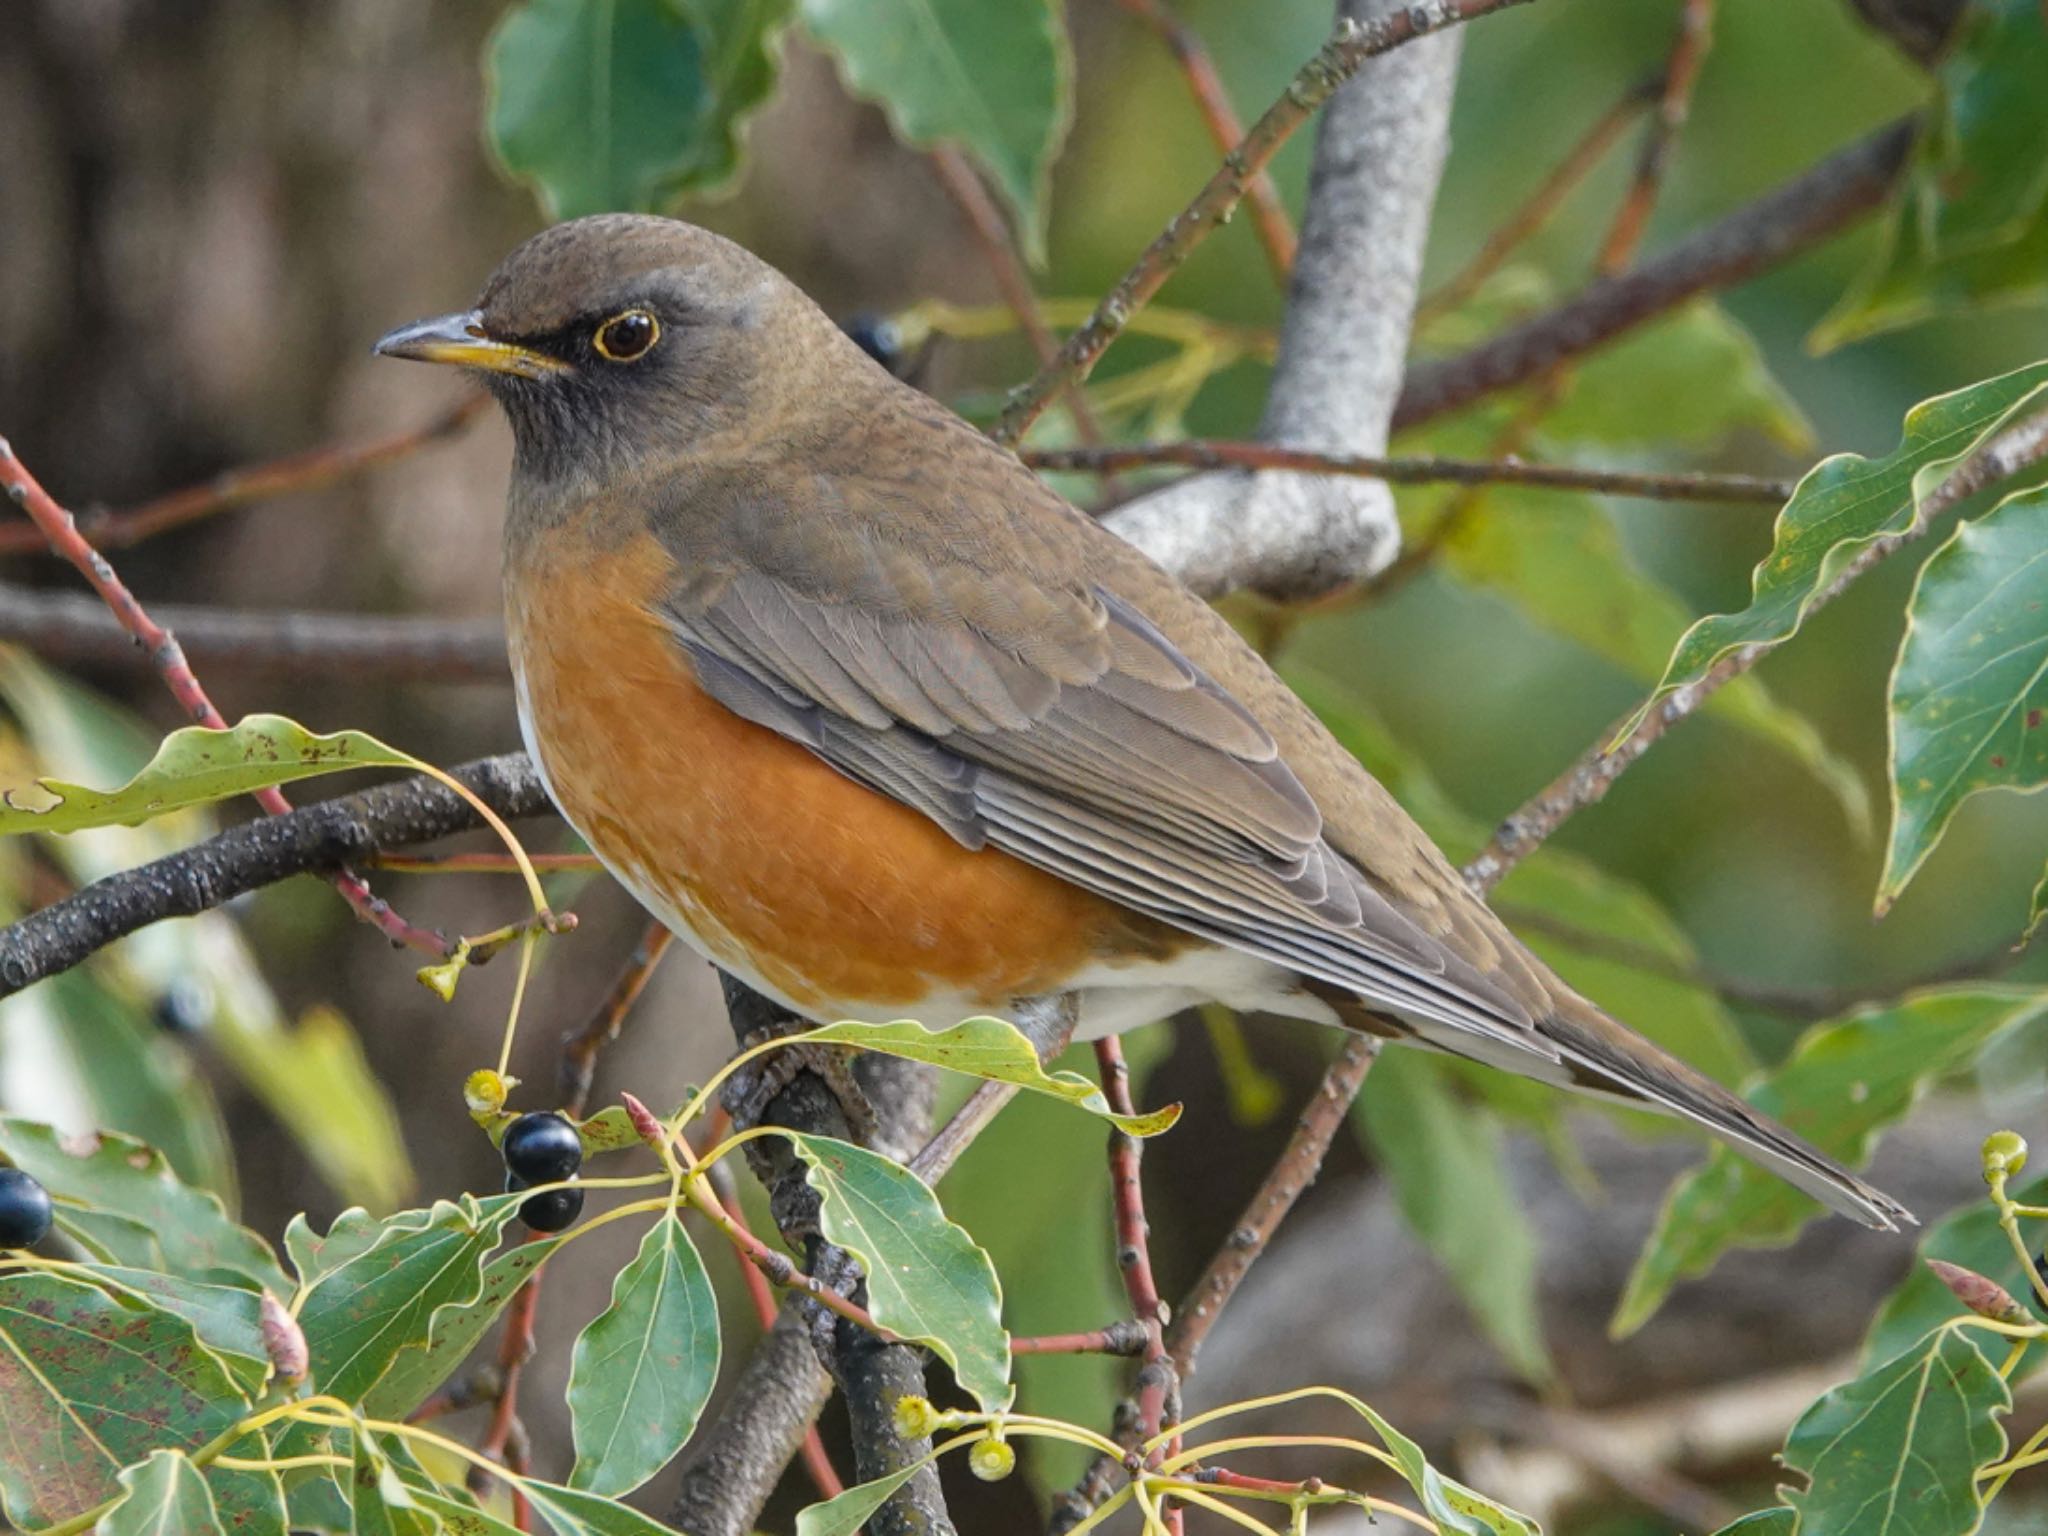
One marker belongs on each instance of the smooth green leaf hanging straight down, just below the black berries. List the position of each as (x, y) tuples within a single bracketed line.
[(644, 1369)]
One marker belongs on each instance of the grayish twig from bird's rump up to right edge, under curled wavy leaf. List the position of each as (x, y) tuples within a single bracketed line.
[(1596, 771)]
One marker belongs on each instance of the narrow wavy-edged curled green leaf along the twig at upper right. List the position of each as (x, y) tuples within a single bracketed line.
[(1842, 507)]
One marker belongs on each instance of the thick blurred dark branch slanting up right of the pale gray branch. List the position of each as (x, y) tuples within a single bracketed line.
[(1779, 226)]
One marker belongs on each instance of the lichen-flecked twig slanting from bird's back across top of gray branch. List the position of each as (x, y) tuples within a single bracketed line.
[(1336, 62)]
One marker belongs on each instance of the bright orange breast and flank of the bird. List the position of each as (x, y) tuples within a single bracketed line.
[(837, 896)]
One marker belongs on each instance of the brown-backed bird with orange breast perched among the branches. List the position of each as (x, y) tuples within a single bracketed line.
[(884, 726)]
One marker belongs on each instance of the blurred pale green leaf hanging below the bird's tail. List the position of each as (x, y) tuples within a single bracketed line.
[(1449, 1166)]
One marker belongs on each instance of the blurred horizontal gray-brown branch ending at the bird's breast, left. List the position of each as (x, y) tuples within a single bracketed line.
[(357, 648)]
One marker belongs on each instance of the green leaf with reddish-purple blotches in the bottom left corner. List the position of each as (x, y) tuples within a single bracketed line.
[(91, 1383)]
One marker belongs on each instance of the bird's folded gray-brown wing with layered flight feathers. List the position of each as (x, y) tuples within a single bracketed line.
[(1070, 732)]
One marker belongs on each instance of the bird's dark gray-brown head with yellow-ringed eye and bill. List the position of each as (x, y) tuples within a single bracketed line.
[(624, 341)]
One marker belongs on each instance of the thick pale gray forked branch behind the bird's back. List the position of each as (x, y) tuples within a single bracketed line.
[(1379, 153)]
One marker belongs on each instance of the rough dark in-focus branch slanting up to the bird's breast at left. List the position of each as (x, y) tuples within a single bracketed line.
[(312, 841)]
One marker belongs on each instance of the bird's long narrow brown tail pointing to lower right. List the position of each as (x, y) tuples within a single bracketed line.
[(1613, 1062)]
